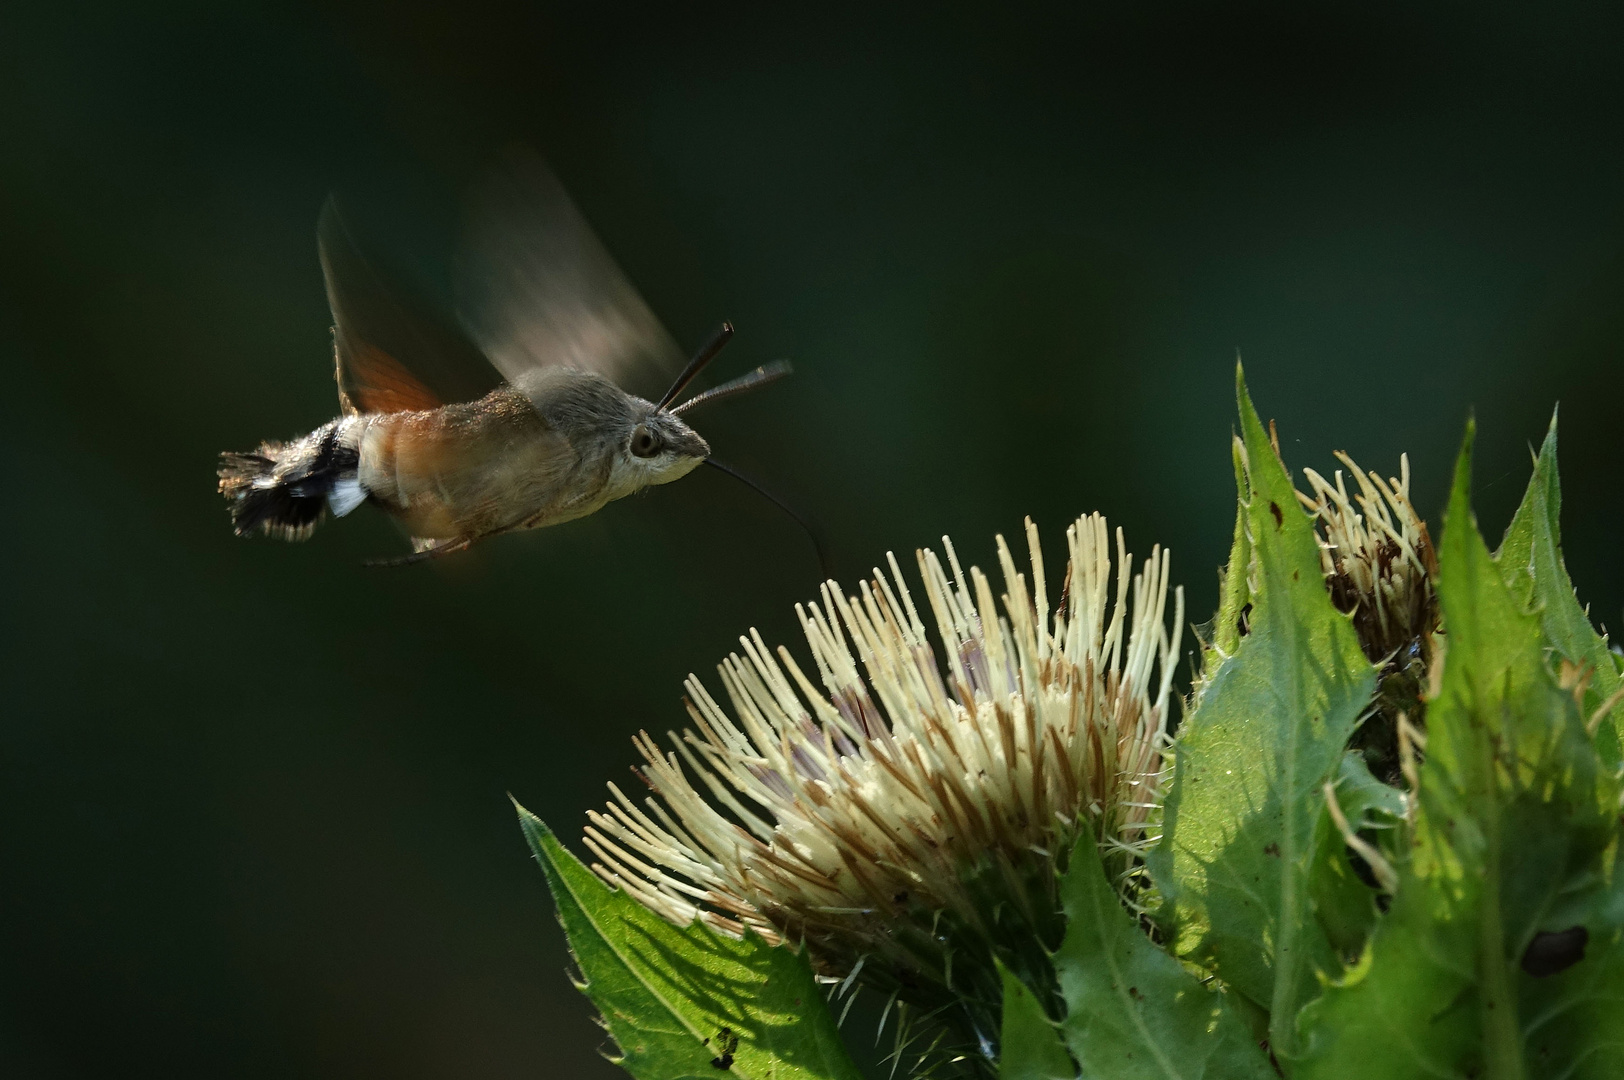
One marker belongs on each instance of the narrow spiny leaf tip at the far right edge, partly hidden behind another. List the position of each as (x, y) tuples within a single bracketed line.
[(1531, 561)]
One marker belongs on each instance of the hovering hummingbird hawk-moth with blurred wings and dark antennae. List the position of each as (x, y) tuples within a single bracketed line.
[(522, 421)]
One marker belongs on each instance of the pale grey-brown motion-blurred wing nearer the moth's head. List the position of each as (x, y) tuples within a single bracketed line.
[(535, 287)]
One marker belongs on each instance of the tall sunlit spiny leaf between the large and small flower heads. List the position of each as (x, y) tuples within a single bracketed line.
[(1240, 845)]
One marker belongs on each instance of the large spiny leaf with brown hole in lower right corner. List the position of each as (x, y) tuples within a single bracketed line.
[(1516, 837)]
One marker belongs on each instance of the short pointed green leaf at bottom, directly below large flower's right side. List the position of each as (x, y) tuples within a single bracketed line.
[(1133, 1011)]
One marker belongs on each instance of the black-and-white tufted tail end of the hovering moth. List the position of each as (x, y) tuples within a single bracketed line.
[(282, 490)]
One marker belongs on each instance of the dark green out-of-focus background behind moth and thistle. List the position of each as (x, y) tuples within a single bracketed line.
[(254, 811)]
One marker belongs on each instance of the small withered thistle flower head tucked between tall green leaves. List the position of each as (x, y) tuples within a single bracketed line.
[(1381, 569)]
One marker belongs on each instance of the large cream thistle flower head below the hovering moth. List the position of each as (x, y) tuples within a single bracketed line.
[(904, 821)]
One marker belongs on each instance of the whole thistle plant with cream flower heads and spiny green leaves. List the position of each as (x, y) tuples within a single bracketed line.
[(1383, 842)]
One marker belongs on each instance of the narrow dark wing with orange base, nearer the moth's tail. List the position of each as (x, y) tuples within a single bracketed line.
[(391, 356)]
